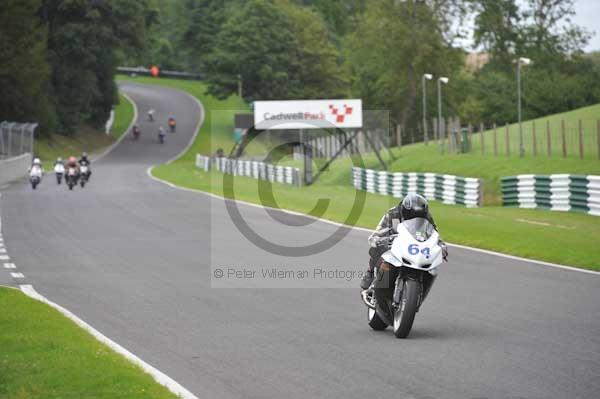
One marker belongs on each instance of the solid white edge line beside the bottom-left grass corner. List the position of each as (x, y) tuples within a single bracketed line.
[(158, 376)]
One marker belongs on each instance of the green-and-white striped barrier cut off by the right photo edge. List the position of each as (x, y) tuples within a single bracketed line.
[(578, 193)]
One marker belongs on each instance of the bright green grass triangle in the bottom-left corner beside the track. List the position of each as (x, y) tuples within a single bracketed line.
[(45, 355)]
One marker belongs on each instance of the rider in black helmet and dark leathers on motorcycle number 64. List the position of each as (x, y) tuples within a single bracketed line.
[(412, 206)]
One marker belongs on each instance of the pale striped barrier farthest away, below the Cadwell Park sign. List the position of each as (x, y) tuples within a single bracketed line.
[(255, 169)]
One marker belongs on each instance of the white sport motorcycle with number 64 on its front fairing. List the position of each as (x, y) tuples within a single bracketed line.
[(403, 276)]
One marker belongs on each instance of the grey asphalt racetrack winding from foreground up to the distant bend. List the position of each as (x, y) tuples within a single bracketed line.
[(135, 259)]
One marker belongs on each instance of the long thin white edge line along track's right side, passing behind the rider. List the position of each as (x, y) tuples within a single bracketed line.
[(485, 251)]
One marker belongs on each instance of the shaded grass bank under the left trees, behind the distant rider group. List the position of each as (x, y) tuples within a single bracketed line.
[(87, 139)]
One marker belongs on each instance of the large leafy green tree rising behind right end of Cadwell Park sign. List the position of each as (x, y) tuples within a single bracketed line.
[(393, 45)]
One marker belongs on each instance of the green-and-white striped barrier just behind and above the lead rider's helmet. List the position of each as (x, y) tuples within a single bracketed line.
[(449, 189)]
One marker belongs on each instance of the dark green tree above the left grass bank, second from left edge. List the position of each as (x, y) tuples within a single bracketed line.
[(83, 39)]
